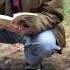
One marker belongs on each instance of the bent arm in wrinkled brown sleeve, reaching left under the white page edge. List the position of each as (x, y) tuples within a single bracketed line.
[(50, 14)]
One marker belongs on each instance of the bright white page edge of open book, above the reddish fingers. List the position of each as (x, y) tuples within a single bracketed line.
[(5, 20)]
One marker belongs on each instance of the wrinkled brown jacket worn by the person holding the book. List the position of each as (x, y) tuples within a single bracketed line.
[(50, 14)]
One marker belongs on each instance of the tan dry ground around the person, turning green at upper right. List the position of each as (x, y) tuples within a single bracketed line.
[(56, 62)]
